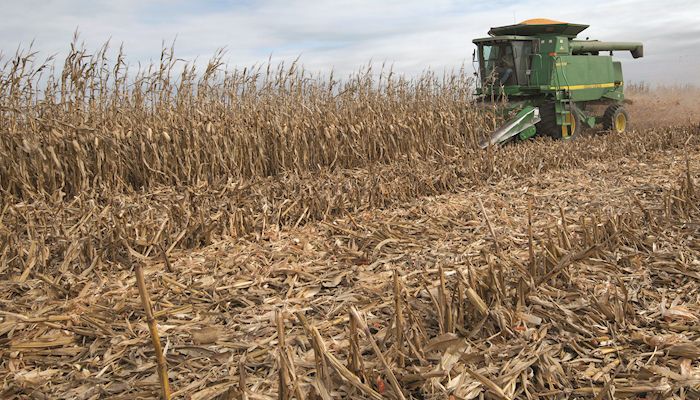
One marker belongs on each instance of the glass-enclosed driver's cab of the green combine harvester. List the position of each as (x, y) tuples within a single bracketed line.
[(505, 63)]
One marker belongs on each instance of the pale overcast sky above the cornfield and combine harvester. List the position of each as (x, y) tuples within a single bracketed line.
[(413, 35)]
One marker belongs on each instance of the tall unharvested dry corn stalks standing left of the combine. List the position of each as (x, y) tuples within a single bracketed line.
[(90, 127)]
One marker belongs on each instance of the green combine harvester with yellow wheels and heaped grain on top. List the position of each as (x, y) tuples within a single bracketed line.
[(554, 83)]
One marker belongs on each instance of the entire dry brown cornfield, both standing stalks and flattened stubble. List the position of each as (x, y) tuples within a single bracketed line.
[(282, 225)]
